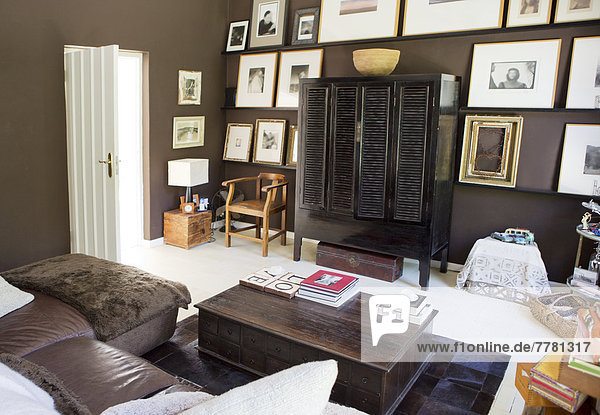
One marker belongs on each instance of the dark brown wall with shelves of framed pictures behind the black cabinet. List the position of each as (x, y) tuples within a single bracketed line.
[(530, 69)]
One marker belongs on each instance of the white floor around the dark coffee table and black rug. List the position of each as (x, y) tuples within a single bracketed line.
[(211, 268)]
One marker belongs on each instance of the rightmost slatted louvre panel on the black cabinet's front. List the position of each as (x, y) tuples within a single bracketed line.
[(411, 154)]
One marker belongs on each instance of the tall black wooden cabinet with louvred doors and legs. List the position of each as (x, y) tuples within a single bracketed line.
[(376, 164)]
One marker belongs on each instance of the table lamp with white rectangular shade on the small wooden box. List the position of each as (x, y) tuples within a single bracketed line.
[(188, 173)]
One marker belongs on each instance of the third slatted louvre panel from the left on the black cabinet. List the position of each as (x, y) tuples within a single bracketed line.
[(373, 156)]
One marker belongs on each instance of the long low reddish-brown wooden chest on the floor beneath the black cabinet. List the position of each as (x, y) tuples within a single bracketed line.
[(371, 264)]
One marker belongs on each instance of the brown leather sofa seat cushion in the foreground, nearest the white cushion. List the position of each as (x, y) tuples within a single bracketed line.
[(99, 374)]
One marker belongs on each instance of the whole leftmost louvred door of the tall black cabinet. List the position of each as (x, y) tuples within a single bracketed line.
[(313, 145)]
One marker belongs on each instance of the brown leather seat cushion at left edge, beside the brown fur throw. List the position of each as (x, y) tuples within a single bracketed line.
[(44, 321)]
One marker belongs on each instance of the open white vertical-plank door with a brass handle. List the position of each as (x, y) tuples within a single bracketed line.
[(91, 89)]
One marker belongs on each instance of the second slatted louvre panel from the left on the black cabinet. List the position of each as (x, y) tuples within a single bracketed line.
[(342, 169)]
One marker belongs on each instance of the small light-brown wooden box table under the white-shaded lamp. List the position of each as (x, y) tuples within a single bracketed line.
[(186, 230)]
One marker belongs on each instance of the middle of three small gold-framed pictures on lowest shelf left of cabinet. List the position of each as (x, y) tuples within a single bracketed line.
[(268, 141)]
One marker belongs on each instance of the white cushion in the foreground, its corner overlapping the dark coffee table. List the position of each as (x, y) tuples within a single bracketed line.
[(299, 390)]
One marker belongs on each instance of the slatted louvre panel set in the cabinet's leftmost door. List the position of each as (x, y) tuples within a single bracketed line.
[(314, 148)]
